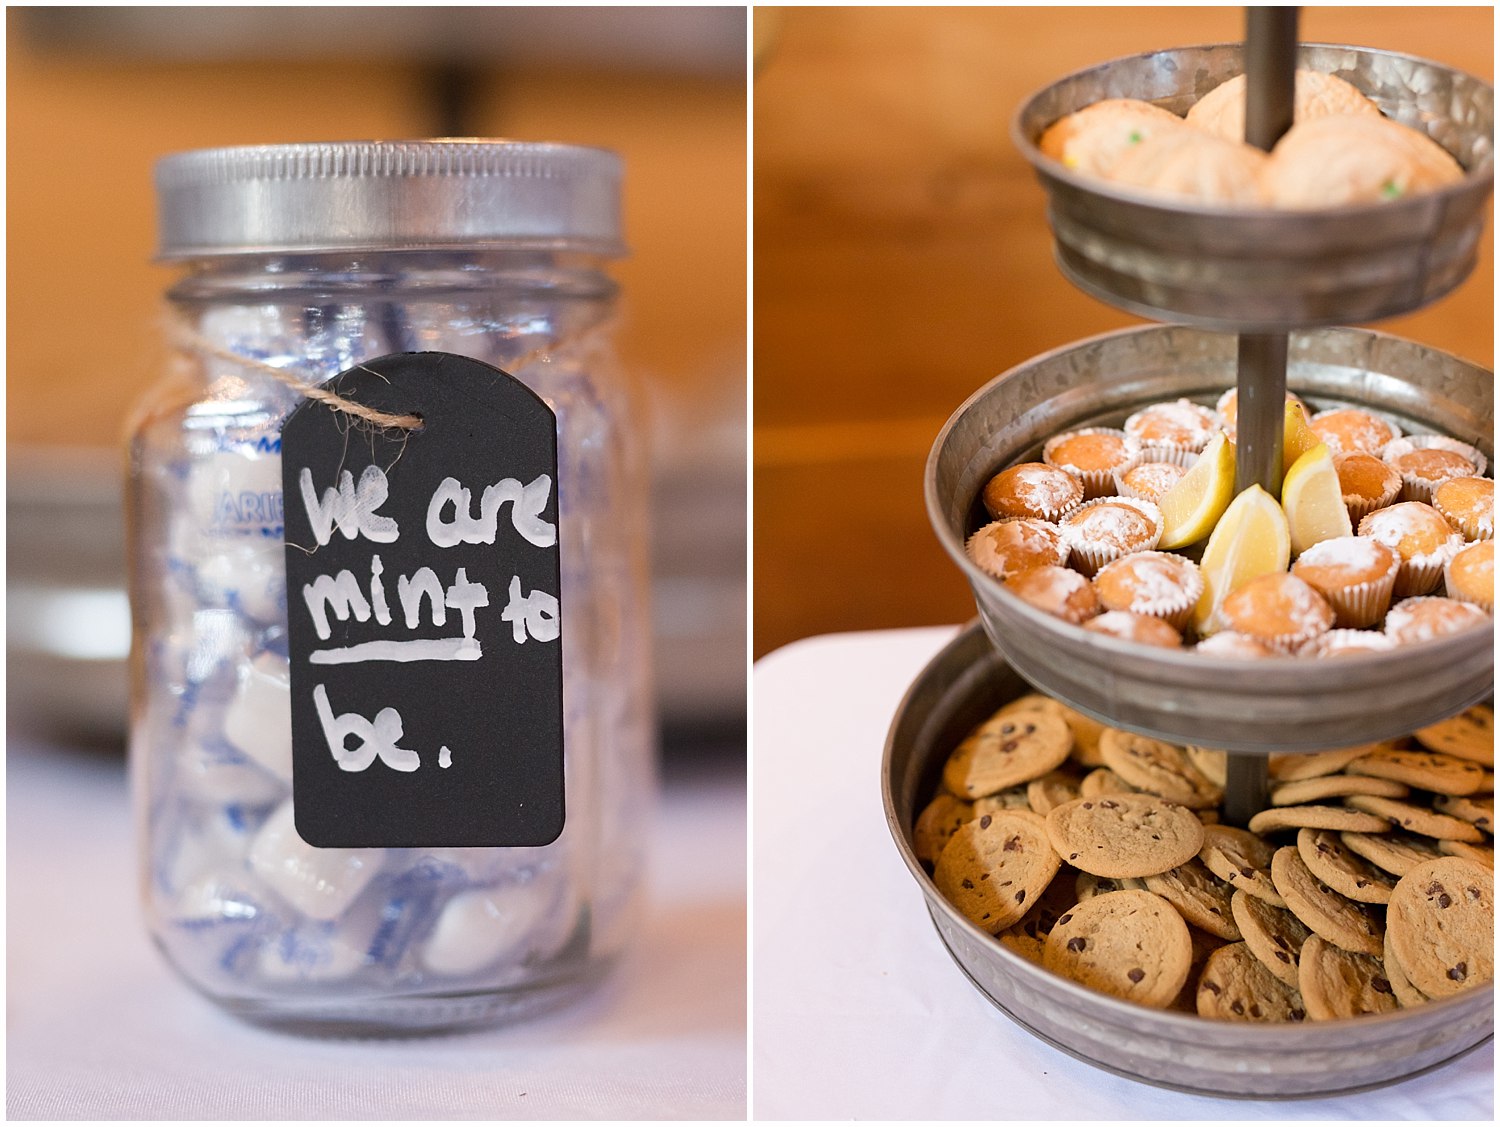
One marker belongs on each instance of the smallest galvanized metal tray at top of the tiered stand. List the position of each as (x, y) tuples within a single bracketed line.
[(1255, 269)]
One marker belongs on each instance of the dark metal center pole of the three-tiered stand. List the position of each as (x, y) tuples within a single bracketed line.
[(1271, 59)]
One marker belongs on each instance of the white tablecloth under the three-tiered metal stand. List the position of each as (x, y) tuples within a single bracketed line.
[(859, 1009)]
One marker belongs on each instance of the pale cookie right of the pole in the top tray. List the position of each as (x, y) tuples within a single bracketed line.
[(1355, 160)]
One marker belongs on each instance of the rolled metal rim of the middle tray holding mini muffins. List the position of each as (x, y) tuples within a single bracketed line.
[(1283, 670)]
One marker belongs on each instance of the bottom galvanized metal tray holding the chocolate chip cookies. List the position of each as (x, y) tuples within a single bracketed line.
[(962, 687)]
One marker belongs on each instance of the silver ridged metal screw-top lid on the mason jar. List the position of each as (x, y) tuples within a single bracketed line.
[(373, 196)]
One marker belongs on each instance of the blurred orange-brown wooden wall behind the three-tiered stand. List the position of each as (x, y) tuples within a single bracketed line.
[(902, 259)]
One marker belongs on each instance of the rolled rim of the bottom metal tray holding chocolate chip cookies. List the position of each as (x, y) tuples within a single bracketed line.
[(1261, 1038)]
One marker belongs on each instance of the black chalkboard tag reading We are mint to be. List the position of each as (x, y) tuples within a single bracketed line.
[(424, 610)]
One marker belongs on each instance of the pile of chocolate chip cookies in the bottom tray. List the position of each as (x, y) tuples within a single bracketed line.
[(1366, 886)]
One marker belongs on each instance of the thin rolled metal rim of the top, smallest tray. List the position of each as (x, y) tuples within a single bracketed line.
[(1481, 176)]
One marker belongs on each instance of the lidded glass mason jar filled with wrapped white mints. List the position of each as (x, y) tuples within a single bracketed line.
[(301, 263)]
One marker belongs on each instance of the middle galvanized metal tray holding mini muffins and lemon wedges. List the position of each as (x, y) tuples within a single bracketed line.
[(1276, 705)]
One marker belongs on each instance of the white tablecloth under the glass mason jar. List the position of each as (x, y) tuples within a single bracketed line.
[(98, 1029)]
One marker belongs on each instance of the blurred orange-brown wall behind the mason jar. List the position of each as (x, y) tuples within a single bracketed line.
[(85, 131)]
